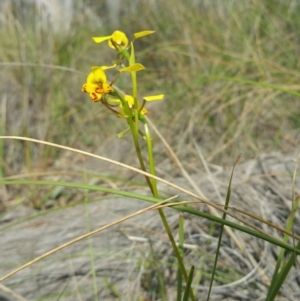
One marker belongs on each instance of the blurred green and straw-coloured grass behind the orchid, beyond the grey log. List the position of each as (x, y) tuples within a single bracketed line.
[(229, 71)]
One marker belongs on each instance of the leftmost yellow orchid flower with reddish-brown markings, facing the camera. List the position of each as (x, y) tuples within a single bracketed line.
[(96, 84)]
